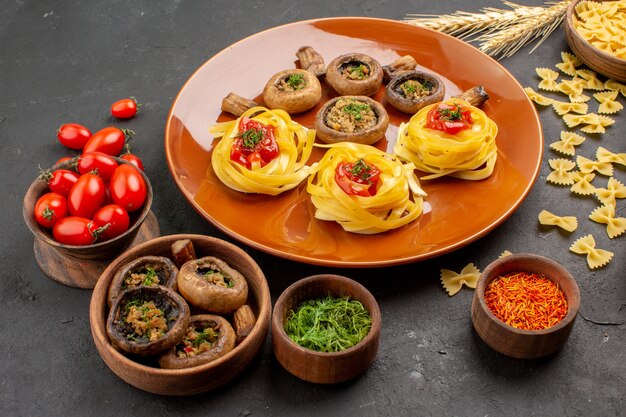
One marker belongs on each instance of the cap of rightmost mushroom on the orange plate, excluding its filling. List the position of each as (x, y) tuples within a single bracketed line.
[(396, 98)]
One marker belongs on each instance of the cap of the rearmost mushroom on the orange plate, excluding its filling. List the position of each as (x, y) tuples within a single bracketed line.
[(347, 87)]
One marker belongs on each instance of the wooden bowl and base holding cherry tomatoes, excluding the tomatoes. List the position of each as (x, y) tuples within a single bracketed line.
[(79, 266)]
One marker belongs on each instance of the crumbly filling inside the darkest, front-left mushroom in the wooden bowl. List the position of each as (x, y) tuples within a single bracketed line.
[(144, 321)]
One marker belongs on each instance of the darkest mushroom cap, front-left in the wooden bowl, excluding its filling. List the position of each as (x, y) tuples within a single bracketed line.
[(174, 307)]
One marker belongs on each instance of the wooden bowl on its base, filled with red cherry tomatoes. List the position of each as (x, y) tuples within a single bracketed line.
[(84, 212)]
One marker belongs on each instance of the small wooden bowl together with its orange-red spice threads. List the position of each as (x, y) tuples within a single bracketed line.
[(525, 305)]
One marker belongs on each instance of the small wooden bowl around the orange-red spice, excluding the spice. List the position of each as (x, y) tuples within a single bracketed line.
[(508, 340)]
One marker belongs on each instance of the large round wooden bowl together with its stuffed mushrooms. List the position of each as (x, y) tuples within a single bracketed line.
[(186, 335)]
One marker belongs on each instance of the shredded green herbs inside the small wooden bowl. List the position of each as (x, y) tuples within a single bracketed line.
[(329, 324)]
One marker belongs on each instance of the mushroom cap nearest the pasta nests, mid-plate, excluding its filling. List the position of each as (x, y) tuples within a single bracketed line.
[(329, 135)]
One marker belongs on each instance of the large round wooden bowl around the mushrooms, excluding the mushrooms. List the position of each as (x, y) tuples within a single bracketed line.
[(147, 375)]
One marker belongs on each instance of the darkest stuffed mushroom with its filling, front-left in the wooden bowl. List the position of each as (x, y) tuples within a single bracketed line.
[(147, 321)]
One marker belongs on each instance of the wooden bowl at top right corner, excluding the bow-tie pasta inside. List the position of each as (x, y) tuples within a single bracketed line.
[(601, 62)]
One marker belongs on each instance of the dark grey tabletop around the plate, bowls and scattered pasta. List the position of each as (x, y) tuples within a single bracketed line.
[(65, 61)]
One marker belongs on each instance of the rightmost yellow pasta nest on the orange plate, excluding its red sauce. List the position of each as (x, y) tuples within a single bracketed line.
[(468, 154)]
